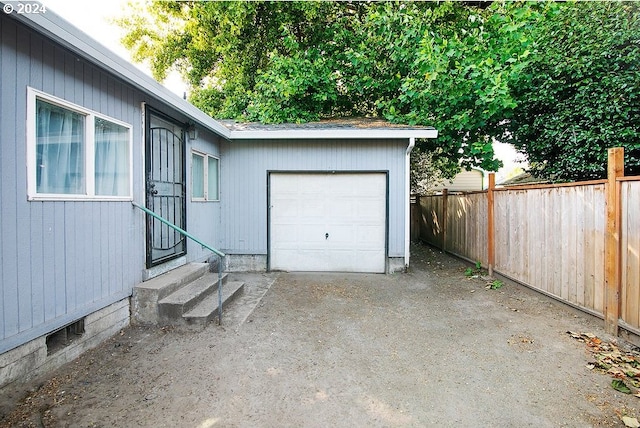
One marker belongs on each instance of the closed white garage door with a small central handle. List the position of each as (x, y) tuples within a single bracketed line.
[(328, 222)]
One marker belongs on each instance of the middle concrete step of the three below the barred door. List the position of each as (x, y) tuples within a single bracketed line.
[(187, 297)]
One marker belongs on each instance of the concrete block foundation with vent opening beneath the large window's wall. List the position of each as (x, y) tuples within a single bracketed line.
[(30, 360)]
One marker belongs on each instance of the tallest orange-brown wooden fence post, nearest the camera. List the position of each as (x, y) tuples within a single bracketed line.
[(612, 272)]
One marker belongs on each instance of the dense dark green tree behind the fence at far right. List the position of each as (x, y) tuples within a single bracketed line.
[(580, 92)]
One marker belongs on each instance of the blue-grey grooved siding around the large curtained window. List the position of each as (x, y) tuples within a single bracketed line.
[(59, 260)]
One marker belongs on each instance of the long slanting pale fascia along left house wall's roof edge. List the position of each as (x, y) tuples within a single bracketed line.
[(71, 38)]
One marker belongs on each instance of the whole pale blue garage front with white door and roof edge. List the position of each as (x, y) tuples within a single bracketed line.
[(326, 196)]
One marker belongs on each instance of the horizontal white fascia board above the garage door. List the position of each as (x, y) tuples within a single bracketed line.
[(319, 134)]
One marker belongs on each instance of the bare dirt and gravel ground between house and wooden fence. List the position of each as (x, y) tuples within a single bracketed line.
[(427, 348)]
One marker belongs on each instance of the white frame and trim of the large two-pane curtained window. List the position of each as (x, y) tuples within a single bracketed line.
[(90, 115)]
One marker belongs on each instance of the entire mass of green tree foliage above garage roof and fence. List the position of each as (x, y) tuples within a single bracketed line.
[(527, 72)]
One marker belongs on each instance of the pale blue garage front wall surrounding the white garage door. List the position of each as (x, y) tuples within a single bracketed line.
[(244, 201)]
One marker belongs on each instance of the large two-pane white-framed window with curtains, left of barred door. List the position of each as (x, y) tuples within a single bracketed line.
[(75, 153)]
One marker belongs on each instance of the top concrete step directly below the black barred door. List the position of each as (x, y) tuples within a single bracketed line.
[(147, 294)]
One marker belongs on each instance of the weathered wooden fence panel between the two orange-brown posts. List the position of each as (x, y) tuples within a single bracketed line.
[(562, 221)]
